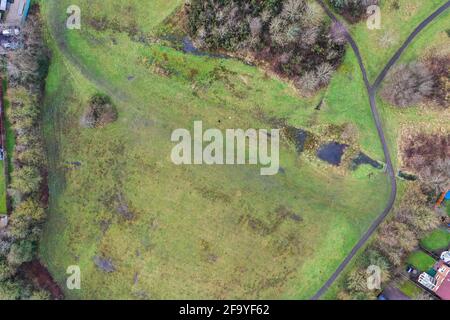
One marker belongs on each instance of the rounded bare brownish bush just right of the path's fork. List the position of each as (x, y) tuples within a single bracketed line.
[(408, 85)]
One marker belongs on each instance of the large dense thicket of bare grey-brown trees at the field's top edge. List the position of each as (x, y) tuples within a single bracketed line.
[(291, 36)]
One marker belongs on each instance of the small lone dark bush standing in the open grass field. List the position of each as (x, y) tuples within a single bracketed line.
[(100, 112)]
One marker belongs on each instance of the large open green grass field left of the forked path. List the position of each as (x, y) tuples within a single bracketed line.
[(196, 232)]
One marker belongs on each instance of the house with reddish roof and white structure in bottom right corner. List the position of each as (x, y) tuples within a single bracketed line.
[(440, 282)]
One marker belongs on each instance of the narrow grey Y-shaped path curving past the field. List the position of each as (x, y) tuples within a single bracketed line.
[(372, 90)]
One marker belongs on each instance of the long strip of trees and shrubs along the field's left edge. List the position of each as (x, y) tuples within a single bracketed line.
[(19, 241)]
